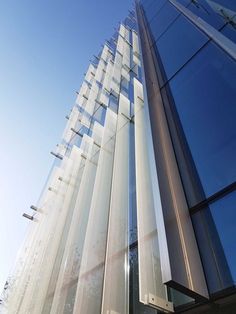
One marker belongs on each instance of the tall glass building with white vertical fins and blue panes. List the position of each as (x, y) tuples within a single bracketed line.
[(138, 214)]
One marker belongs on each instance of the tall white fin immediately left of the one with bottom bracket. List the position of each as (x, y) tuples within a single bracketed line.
[(116, 278)]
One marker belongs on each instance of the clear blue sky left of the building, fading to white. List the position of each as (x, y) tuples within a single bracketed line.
[(45, 47)]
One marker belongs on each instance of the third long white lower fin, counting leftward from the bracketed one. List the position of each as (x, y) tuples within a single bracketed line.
[(89, 291)]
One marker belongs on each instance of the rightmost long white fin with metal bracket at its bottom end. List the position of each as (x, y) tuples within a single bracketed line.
[(150, 277)]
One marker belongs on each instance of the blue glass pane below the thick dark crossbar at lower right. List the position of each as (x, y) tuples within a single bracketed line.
[(215, 231)]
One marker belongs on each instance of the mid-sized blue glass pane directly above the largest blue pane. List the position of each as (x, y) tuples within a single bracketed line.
[(178, 44)]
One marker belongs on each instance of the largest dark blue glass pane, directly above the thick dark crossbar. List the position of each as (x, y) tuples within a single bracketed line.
[(204, 94)]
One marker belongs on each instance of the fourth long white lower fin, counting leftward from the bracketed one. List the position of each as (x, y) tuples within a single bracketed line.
[(64, 297)]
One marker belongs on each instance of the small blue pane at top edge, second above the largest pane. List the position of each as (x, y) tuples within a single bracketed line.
[(162, 20)]
